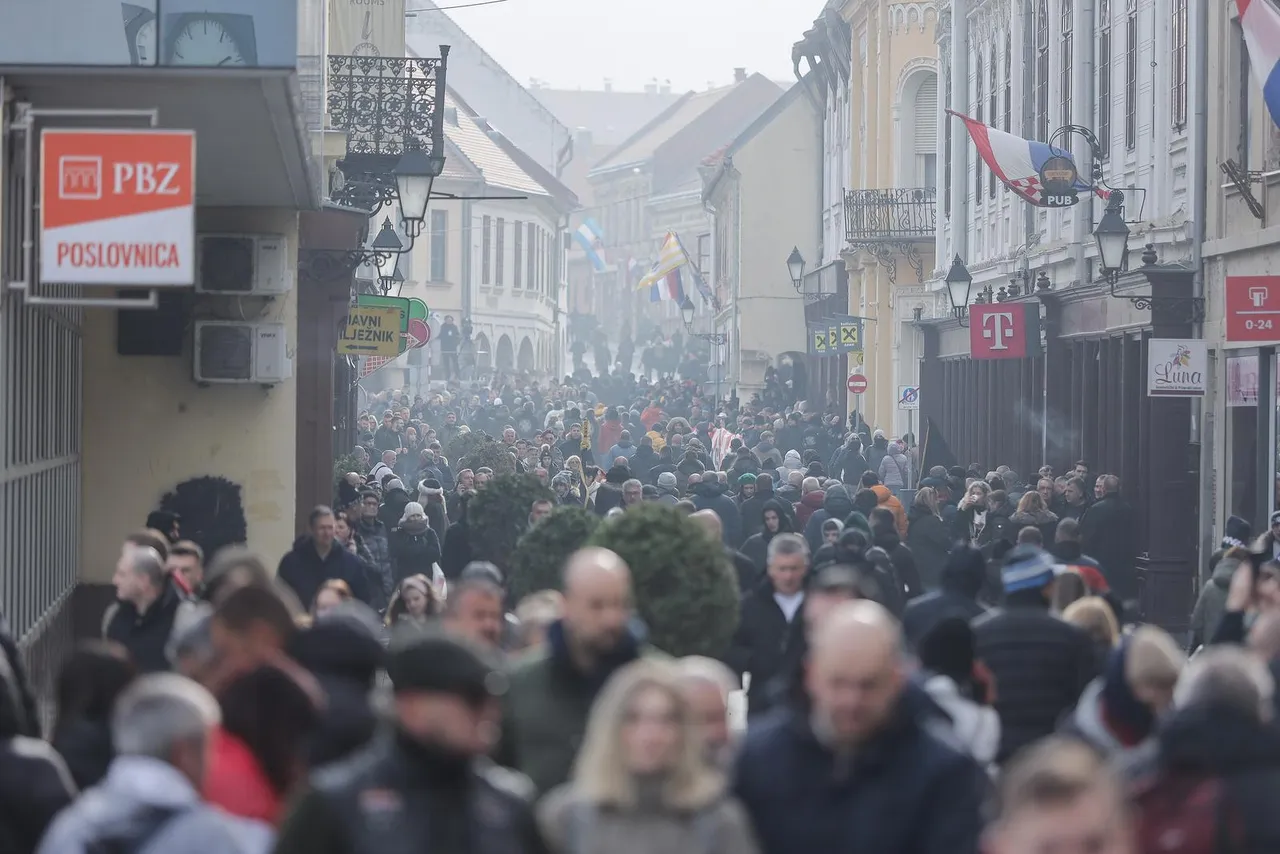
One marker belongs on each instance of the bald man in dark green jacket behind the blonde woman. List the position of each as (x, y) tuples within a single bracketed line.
[(551, 695)]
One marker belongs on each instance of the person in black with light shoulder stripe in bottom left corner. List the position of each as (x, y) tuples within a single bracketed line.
[(35, 784)]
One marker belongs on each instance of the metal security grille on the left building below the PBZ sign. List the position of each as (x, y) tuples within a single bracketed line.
[(40, 453)]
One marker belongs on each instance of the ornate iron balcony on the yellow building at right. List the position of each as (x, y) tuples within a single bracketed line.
[(892, 222)]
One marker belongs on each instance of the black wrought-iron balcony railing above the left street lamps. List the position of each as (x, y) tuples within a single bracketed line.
[(387, 104)]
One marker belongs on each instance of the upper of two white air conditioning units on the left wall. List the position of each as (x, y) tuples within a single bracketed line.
[(243, 266)]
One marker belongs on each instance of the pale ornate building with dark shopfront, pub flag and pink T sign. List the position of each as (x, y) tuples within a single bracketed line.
[(1123, 74)]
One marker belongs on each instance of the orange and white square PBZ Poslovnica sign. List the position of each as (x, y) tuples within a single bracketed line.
[(118, 207)]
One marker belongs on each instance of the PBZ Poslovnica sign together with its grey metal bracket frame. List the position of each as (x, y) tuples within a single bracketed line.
[(159, 189)]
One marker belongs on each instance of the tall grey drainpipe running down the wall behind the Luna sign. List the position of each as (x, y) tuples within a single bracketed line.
[(1199, 154)]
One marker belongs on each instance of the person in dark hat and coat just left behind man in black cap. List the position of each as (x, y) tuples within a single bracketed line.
[(344, 651)]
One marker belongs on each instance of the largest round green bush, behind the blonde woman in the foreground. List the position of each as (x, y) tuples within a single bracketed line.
[(684, 584)]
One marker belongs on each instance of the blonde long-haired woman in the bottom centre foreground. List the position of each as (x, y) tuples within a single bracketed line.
[(642, 783)]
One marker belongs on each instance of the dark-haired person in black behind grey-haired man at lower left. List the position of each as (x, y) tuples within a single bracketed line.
[(95, 674)]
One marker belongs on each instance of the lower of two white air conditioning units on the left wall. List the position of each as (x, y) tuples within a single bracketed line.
[(230, 351)]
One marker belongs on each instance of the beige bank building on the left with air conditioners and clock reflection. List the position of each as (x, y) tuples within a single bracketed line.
[(99, 398)]
